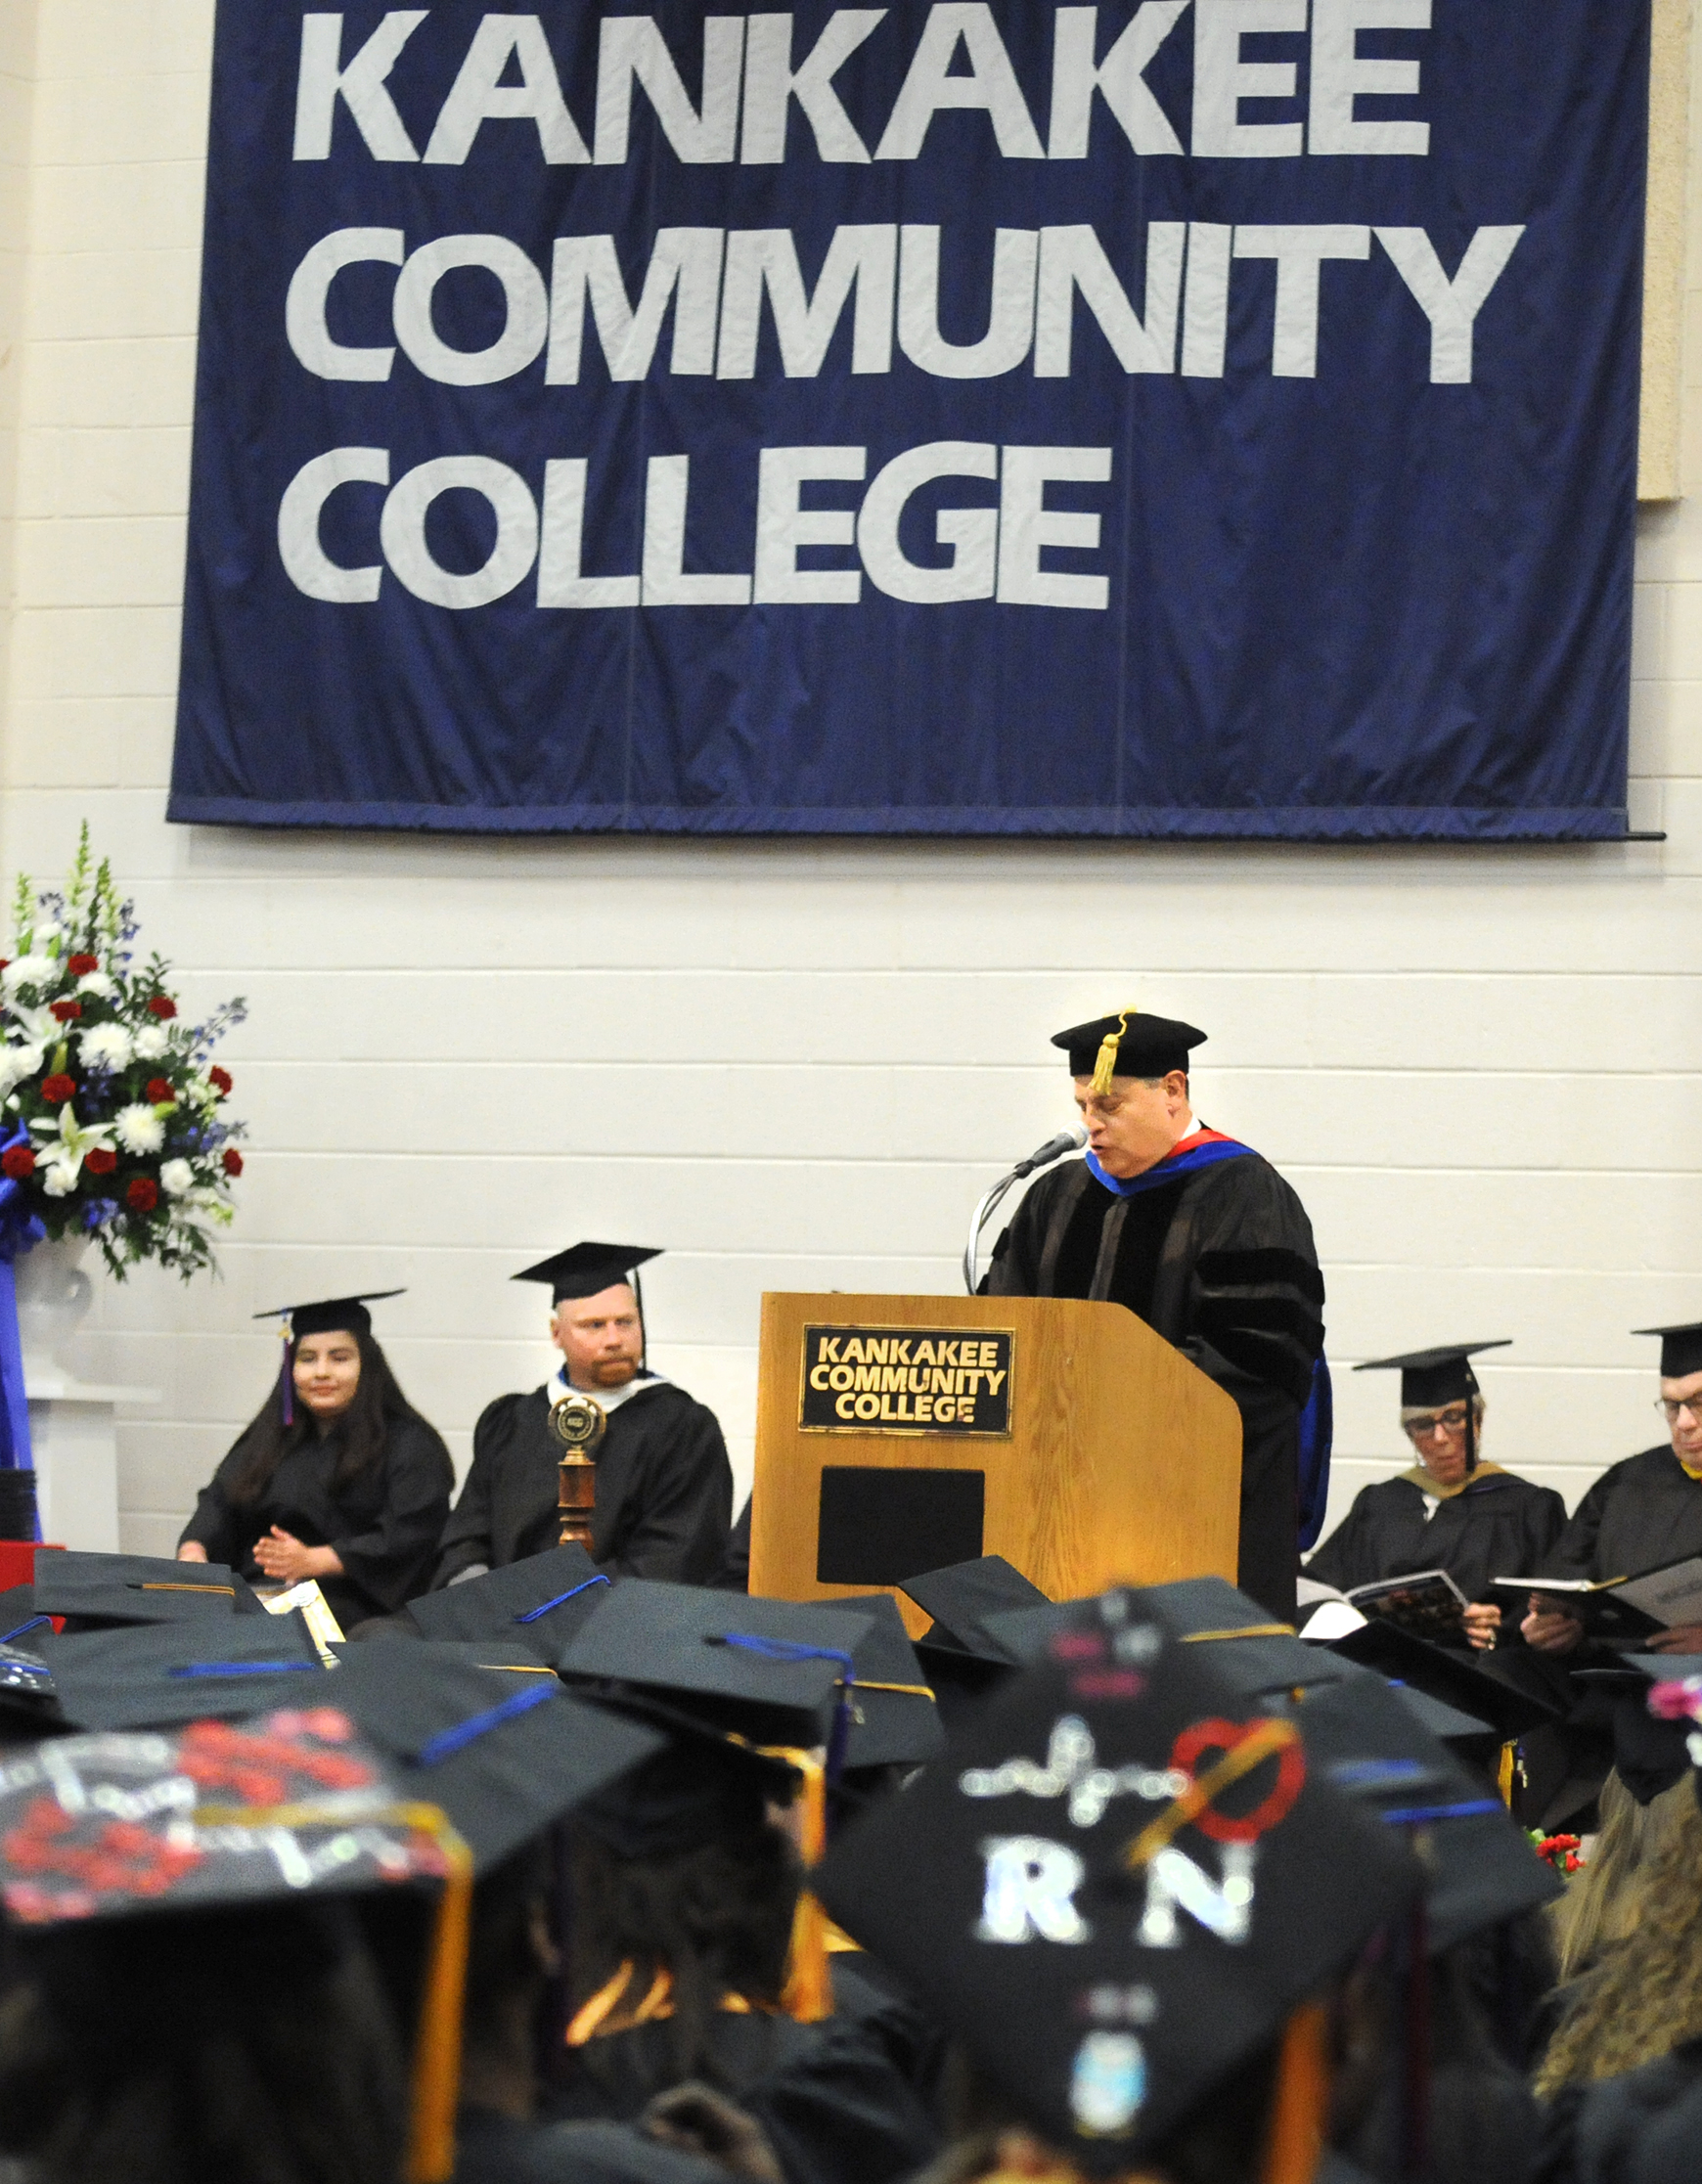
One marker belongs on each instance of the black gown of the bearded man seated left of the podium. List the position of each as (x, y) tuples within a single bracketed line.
[(663, 1491)]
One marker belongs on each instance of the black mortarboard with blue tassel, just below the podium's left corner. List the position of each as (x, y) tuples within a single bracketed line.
[(770, 1672)]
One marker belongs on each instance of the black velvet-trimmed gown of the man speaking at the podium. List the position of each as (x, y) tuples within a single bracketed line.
[(1222, 1266)]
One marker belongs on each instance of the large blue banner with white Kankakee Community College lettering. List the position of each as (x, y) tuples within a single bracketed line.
[(1179, 420)]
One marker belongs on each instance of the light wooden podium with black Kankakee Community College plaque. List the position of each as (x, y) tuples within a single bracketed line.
[(903, 1434)]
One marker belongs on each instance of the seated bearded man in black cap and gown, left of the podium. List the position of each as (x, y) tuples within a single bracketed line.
[(663, 1475)]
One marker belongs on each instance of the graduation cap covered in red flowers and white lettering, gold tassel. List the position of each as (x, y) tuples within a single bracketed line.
[(292, 1809)]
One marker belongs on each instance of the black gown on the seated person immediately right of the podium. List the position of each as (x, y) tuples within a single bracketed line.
[(1493, 1528)]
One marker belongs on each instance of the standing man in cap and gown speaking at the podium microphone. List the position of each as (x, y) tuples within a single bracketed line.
[(1198, 1237)]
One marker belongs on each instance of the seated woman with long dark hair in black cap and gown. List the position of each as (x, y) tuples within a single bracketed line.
[(338, 1477)]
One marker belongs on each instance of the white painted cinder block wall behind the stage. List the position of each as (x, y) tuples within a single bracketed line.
[(790, 1065)]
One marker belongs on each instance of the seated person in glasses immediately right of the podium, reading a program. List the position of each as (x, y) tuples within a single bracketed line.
[(1452, 1510)]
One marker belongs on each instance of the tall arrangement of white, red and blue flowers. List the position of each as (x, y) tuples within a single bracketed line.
[(113, 1117)]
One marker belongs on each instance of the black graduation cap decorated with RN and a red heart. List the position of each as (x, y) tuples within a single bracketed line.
[(1118, 1886)]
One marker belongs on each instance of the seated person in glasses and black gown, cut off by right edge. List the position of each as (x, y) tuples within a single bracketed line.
[(1642, 1515)]
